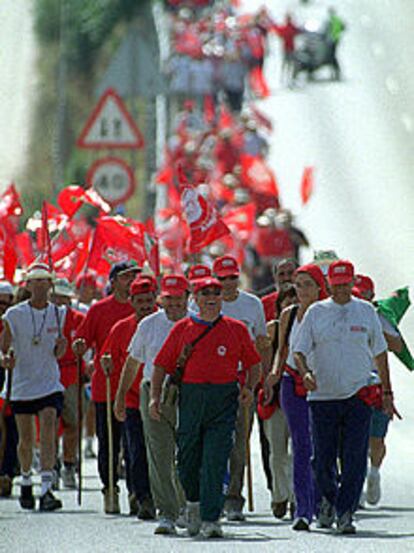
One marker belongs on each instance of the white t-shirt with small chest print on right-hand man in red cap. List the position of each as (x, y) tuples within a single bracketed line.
[(343, 339)]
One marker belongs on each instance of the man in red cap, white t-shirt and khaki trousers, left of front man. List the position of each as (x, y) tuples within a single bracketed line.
[(159, 435)]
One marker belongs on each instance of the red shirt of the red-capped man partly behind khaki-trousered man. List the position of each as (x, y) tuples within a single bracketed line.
[(117, 344)]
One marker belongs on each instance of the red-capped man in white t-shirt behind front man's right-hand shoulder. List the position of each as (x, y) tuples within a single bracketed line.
[(248, 309)]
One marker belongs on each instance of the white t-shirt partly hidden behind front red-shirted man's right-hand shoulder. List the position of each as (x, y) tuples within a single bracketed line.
[(248, 309)]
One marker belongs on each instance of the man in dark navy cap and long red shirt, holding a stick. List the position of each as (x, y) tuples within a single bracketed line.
[(92, 333)]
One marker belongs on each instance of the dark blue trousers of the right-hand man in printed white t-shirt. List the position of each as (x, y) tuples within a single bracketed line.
[(340, 429)]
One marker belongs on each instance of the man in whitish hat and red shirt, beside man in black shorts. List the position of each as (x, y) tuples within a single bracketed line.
[(62, 295)]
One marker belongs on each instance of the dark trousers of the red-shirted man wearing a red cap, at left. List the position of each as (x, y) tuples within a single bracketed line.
[(135, 455)]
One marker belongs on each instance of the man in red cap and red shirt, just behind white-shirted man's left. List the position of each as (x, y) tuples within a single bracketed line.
[(114, 353)]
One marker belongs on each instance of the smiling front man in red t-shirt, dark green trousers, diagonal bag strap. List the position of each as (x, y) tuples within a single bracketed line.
[(209, 399)]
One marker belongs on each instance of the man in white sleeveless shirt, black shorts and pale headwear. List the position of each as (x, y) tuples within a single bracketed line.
[(33, 329)]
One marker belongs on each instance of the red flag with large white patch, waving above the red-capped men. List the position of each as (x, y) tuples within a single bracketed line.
[(203, 220)]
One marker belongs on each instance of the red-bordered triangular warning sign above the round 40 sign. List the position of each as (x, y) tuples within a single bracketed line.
[(110, 126)]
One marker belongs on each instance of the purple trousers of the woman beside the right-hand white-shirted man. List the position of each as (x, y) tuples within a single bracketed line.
[(297, 413)]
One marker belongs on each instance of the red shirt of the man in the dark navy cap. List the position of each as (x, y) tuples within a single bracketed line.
[(98, 322)]
